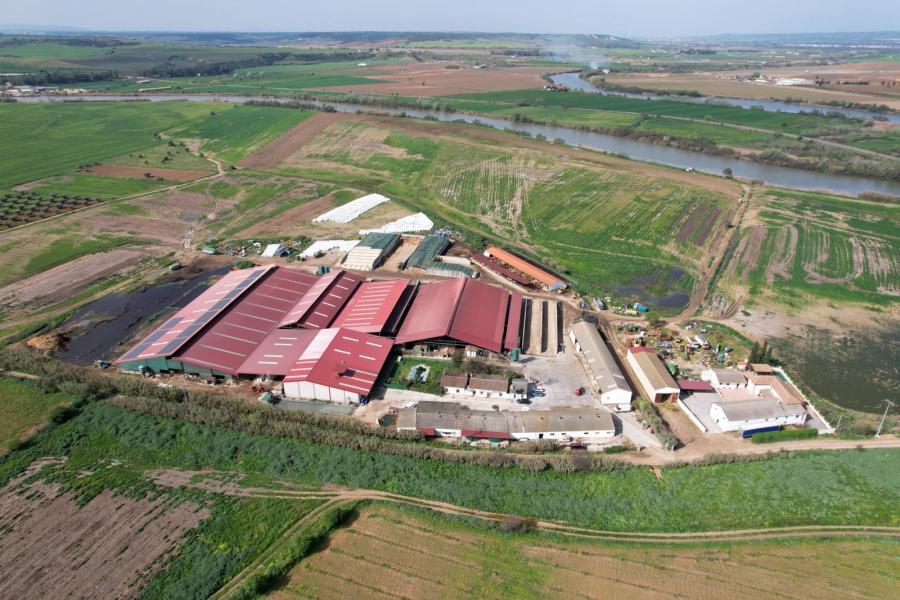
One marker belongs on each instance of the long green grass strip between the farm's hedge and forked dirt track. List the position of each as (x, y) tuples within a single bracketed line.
[(818, 488)]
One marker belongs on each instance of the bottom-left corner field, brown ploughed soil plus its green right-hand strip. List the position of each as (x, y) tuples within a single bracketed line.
[(155, 542)]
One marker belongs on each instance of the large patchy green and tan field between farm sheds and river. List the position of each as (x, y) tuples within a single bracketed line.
[(605, 226)]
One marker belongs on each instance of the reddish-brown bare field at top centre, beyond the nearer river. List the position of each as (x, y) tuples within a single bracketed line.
[(435, 79)]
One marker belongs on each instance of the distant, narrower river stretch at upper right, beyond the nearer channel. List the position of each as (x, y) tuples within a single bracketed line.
[(574, 82)]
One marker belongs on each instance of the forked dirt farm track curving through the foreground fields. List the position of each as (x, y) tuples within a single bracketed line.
[(337, 496)]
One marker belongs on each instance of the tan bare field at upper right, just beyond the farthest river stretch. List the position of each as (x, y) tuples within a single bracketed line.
[(709, 84)]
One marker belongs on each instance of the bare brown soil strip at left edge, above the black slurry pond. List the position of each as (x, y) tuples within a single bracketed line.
[(67, 279)]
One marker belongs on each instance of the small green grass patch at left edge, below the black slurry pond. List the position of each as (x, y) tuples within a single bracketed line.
[(25, 407)]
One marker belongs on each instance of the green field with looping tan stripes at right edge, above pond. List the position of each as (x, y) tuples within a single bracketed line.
[(821, 245)]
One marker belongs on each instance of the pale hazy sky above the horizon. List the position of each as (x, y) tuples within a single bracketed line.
[(621, 17)]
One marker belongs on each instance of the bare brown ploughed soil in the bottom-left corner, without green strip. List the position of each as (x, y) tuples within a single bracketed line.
[(52, 548)]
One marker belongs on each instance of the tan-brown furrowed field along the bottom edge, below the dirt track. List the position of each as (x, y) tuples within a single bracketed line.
[(390, 551)]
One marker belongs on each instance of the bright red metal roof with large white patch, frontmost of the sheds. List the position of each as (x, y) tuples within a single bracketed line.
[(343, 359)]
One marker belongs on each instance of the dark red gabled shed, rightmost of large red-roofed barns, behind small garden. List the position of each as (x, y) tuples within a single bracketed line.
[(464, 311)]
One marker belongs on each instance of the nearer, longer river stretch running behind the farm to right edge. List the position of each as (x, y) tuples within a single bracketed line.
[(638, 150)]
